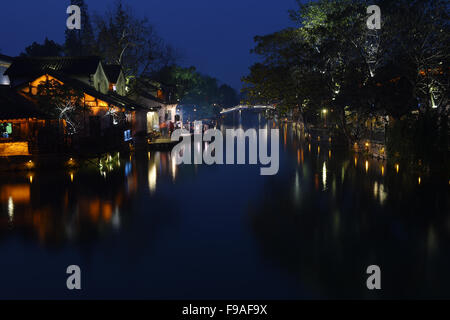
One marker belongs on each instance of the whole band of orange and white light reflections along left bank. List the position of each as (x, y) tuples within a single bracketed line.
[(78, 203)]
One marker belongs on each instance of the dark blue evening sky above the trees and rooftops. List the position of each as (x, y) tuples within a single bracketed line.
[(215, 36)]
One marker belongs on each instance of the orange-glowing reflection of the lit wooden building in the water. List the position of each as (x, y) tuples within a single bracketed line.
[(67, 216)]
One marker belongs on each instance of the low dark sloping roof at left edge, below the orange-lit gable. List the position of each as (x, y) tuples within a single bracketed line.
[(15, 106)]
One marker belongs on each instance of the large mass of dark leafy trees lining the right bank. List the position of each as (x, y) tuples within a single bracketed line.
[(332, 60)]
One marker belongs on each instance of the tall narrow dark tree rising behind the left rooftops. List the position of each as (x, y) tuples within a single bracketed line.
[(80, 42)]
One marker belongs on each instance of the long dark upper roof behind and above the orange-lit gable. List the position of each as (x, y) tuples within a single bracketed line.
[(68, 65)]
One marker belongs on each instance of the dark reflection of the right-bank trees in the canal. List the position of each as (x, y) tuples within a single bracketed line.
[(327, 239)]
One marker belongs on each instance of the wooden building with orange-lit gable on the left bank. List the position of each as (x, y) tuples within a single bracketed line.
[(108, 118)]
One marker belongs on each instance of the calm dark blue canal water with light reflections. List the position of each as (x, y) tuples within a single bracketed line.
[(142, 227)]
